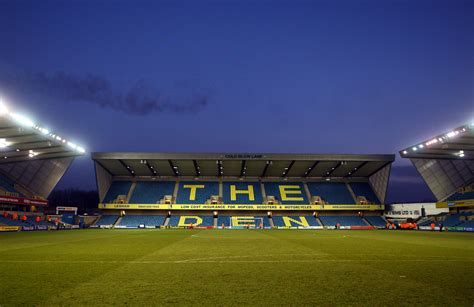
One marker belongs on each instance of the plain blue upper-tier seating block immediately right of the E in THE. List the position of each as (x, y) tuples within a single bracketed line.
[(331, 192)]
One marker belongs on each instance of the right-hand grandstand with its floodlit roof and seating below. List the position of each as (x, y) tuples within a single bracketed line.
[(446, 163)]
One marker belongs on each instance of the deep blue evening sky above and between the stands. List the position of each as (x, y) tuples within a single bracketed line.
[(241, 76)]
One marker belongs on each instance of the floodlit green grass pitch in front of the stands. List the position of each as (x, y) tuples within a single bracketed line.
[(236, 267)]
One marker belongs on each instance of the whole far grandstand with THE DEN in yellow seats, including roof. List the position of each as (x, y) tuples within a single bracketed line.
[(240, 190)]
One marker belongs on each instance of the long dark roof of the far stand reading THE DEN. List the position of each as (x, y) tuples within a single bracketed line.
[(241, 165)]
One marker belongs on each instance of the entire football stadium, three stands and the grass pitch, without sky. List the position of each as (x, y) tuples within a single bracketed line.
[(233, 228)]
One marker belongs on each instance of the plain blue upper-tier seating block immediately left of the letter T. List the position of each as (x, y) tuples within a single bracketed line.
[(151, 192)]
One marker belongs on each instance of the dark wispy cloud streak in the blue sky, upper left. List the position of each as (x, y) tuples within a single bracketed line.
[(140, 98)]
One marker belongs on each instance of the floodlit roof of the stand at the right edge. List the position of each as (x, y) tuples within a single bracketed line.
[(445, 161)]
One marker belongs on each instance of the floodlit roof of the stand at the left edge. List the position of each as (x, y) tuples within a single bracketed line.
[(31, 155)]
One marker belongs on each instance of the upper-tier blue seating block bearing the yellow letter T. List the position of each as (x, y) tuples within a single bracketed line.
[(203, 190)]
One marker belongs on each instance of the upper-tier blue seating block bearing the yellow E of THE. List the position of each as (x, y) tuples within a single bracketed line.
[(295, 192)]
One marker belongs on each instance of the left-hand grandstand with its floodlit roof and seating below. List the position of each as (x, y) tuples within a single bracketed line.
[(32, 161)]
